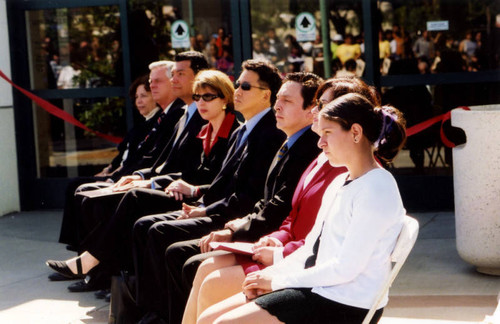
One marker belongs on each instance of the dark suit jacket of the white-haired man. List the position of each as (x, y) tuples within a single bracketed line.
[(156, 140)]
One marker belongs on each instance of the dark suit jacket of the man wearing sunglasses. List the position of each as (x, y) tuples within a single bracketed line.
[(240, 183)]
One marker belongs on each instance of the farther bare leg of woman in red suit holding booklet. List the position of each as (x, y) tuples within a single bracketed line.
[(205, 268)]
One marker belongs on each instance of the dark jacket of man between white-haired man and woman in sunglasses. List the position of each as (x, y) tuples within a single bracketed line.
[(183, 156)]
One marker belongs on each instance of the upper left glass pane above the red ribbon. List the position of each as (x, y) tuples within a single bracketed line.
[(75, 47)]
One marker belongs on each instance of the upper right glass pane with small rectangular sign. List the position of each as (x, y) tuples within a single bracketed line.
[(420, 37)]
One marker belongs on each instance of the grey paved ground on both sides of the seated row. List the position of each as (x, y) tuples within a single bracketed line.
[(434, 286)]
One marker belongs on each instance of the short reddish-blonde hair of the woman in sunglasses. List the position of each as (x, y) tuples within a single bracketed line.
[(217, 81)]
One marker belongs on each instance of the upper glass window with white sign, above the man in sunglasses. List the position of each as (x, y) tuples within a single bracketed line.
[(281, 34)]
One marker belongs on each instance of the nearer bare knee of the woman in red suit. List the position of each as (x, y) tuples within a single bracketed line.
[(219, 285)]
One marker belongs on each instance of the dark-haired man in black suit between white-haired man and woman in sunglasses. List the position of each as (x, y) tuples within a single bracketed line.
[(181, 154)]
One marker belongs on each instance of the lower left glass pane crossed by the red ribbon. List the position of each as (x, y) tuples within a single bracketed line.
[(64, 150)]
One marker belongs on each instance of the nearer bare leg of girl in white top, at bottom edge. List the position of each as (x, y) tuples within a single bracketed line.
[(247, 314)]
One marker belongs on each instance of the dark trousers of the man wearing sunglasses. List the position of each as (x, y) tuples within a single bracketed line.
[(152, 236)]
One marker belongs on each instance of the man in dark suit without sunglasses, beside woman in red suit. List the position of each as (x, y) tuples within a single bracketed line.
[(294, 117)]
